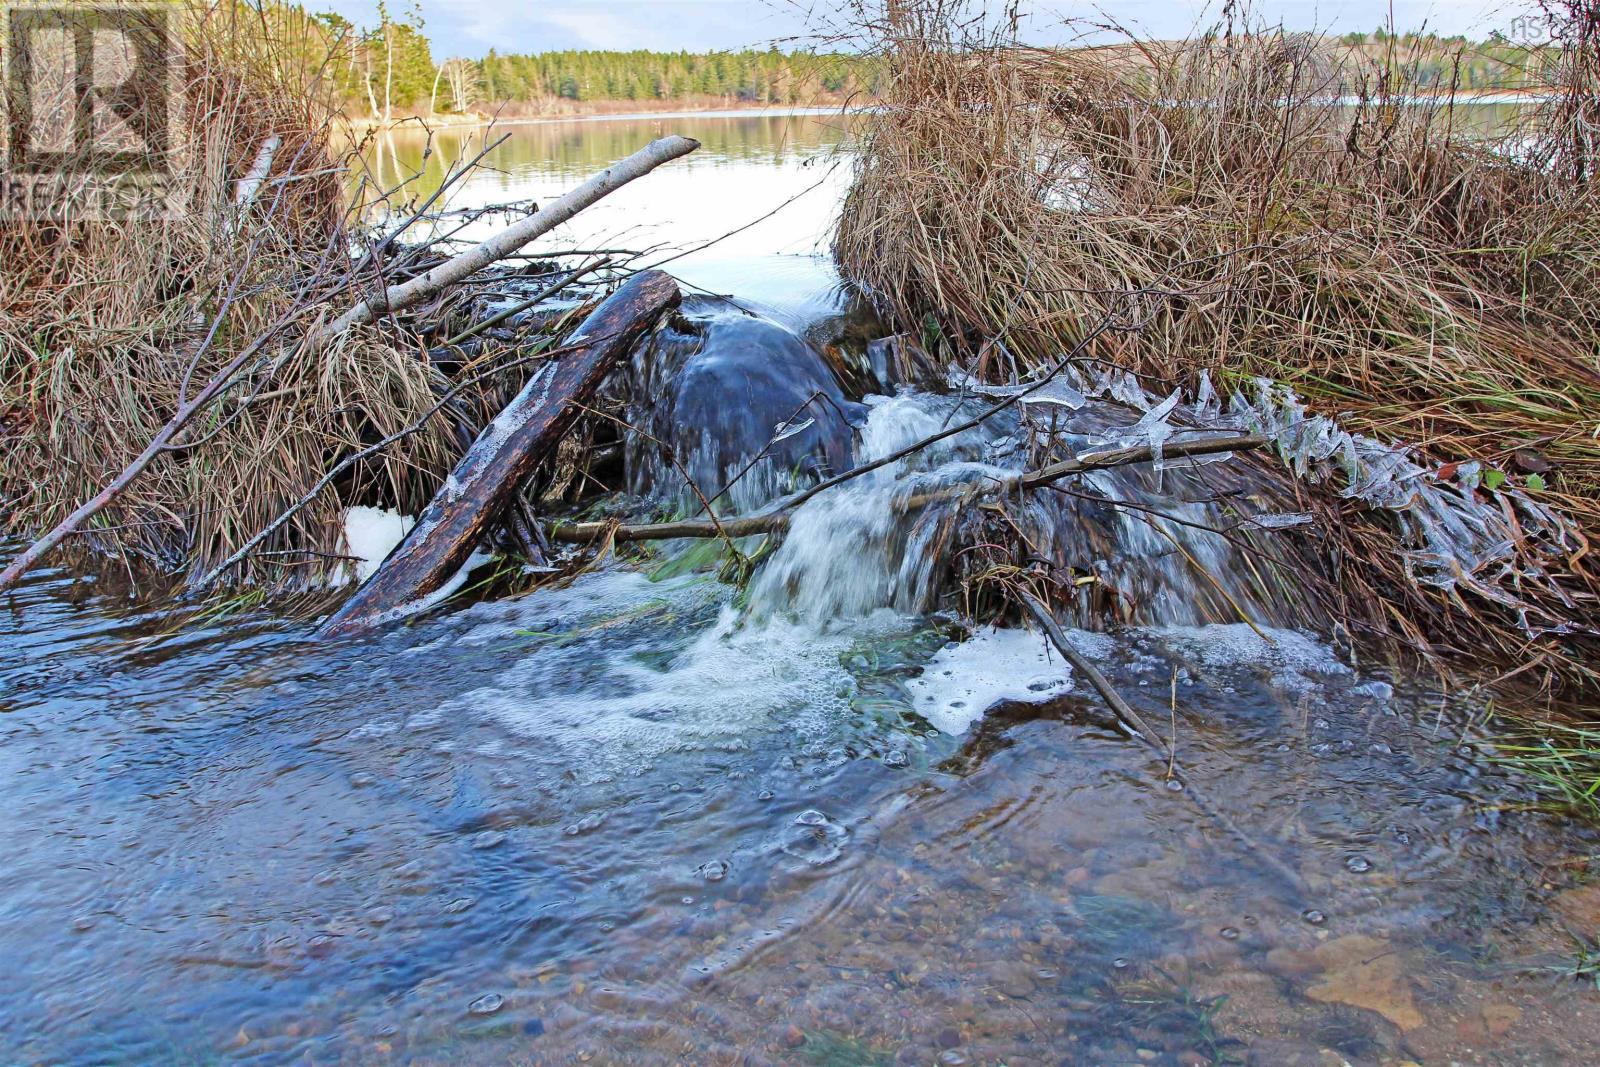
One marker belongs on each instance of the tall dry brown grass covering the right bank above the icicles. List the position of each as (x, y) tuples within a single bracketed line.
[(1249, 202)]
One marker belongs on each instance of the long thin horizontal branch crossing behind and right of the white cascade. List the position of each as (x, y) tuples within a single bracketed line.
[(778, 519)]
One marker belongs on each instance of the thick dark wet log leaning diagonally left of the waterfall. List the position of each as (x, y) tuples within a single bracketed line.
[(505, 455)]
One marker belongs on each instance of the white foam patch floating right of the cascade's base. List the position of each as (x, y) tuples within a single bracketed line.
[(966, 681)]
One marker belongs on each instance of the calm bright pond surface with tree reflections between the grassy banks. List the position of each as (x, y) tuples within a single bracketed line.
[(777, 175)]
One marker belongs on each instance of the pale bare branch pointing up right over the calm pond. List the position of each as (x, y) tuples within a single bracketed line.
[(511, 239)]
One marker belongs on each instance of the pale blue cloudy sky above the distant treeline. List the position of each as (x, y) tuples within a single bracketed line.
[(471, 28)]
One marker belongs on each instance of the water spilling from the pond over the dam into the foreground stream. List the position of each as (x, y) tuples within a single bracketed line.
[(647, 820)]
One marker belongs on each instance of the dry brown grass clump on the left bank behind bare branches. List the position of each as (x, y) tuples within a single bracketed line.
[(106, 332)]
